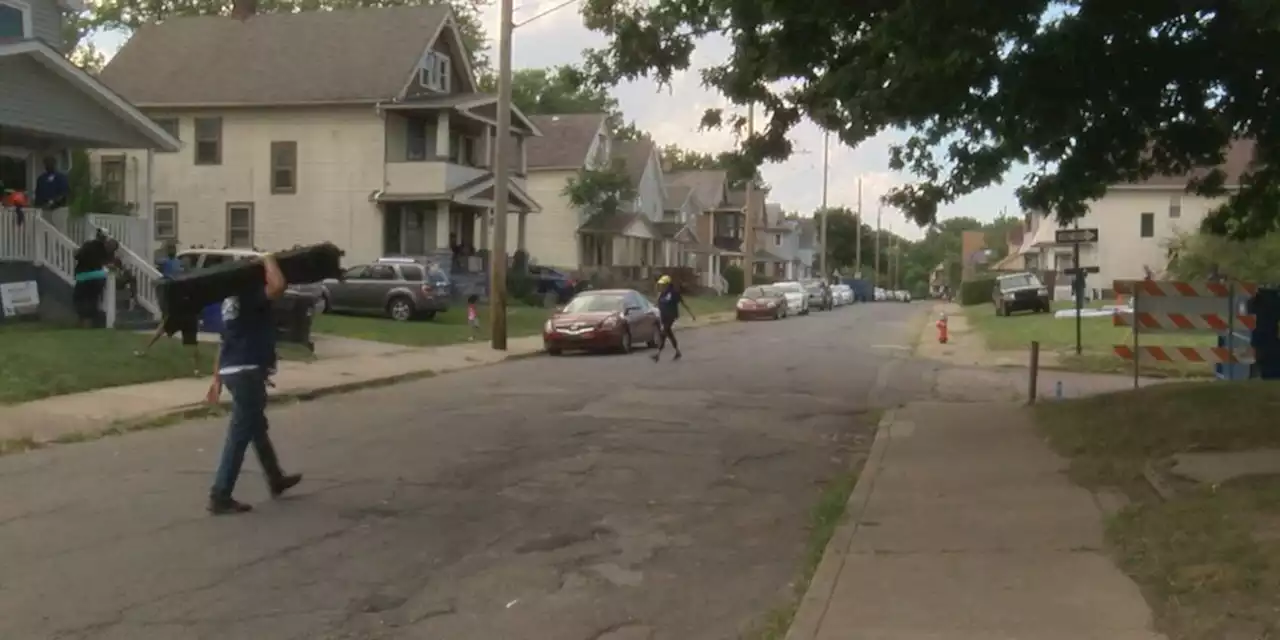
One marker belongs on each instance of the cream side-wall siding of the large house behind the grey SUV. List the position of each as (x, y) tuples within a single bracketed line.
[(340, 167)]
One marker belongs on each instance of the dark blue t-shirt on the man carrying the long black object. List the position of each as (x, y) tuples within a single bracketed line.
[(249, 332)]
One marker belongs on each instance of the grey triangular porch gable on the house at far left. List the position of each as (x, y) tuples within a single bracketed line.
[(53, 107)]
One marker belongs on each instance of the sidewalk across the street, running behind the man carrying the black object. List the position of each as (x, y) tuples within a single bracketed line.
[(94, 412)]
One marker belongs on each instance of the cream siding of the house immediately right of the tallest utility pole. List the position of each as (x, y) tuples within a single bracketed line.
[(551, 236)]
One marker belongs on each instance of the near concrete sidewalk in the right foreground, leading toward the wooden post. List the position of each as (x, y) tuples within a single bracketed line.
[(963, 527)]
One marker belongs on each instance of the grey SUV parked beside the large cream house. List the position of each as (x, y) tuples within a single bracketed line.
[(400, 289)]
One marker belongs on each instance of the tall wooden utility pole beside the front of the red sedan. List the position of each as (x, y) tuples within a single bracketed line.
[(502, 167)]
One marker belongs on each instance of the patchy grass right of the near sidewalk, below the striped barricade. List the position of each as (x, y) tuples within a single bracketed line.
[(1209, 559)]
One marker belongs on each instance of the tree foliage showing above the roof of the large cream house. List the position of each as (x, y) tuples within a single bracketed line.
[(131, 15)]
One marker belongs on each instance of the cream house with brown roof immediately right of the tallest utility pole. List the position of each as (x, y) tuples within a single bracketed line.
[(570, 144)]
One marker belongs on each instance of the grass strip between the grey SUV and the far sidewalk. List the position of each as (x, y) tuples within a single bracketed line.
[(449, 328)]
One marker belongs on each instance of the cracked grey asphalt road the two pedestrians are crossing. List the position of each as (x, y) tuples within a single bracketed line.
[(574, 499)]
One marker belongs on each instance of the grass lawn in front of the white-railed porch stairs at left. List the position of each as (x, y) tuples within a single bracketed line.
[(40, 360)]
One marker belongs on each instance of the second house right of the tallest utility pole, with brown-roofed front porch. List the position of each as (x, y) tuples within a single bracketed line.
[(629, 243)]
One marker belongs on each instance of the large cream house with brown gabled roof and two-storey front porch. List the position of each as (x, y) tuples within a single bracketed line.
[(363, 127)]
